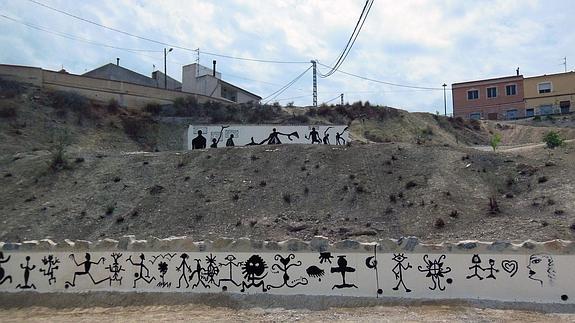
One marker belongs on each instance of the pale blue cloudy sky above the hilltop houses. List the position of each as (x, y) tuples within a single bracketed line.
[(422, 43)]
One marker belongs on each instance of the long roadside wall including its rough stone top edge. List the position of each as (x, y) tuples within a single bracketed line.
[(392, 269)]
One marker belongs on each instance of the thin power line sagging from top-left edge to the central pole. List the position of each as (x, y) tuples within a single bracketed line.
[(164, 43)]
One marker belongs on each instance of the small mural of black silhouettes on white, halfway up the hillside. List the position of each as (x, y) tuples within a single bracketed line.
[(252, 135)]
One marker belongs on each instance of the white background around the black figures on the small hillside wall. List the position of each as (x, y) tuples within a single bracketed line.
[(244, 133)]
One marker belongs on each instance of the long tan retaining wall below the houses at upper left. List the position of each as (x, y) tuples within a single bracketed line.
[(127, 94)]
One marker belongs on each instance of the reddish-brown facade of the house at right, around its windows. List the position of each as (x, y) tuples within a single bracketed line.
[(497, 106)]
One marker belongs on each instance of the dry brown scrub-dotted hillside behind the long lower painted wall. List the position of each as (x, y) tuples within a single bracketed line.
[(423, 179)]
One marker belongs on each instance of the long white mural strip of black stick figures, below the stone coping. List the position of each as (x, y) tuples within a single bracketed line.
[(536, 277)]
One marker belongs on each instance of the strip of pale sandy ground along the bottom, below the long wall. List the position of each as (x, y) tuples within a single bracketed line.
[(202, 313)]
